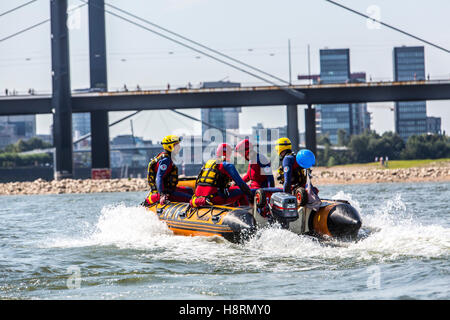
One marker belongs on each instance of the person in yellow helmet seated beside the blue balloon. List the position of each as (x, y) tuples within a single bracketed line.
[(290, 174)]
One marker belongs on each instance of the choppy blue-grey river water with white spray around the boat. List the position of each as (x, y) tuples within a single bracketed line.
[(103, 246)]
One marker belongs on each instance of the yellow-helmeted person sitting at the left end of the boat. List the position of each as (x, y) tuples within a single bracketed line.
[(162, 175)]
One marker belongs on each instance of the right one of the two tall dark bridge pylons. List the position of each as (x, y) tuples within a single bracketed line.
[(98, 78)]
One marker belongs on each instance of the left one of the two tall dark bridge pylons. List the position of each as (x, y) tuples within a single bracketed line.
[(61, 93)]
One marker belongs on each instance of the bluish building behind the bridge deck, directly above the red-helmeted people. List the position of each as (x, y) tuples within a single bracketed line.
[(223, 118)]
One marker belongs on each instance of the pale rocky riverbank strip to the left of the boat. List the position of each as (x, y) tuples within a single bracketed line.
[(41, 186)]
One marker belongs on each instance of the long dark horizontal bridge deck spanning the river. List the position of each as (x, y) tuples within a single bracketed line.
[(231, 97)]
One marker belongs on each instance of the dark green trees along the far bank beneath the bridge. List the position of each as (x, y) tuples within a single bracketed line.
[(362, 148)]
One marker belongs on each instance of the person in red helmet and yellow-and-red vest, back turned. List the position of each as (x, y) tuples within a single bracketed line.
[(212, 186)]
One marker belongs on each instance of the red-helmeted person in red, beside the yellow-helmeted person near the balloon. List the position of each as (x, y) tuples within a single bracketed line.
[(259, 171)]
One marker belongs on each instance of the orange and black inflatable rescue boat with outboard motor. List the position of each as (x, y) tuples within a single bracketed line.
[(334, 218)]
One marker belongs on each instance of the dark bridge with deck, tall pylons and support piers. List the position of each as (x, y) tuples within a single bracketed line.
[(62, 102)]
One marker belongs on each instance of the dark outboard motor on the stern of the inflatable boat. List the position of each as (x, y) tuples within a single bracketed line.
[(284, 208)]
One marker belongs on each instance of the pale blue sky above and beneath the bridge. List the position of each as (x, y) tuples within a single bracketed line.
[(254, 31)]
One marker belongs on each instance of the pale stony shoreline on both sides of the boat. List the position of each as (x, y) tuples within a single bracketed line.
[(320, 176)]
